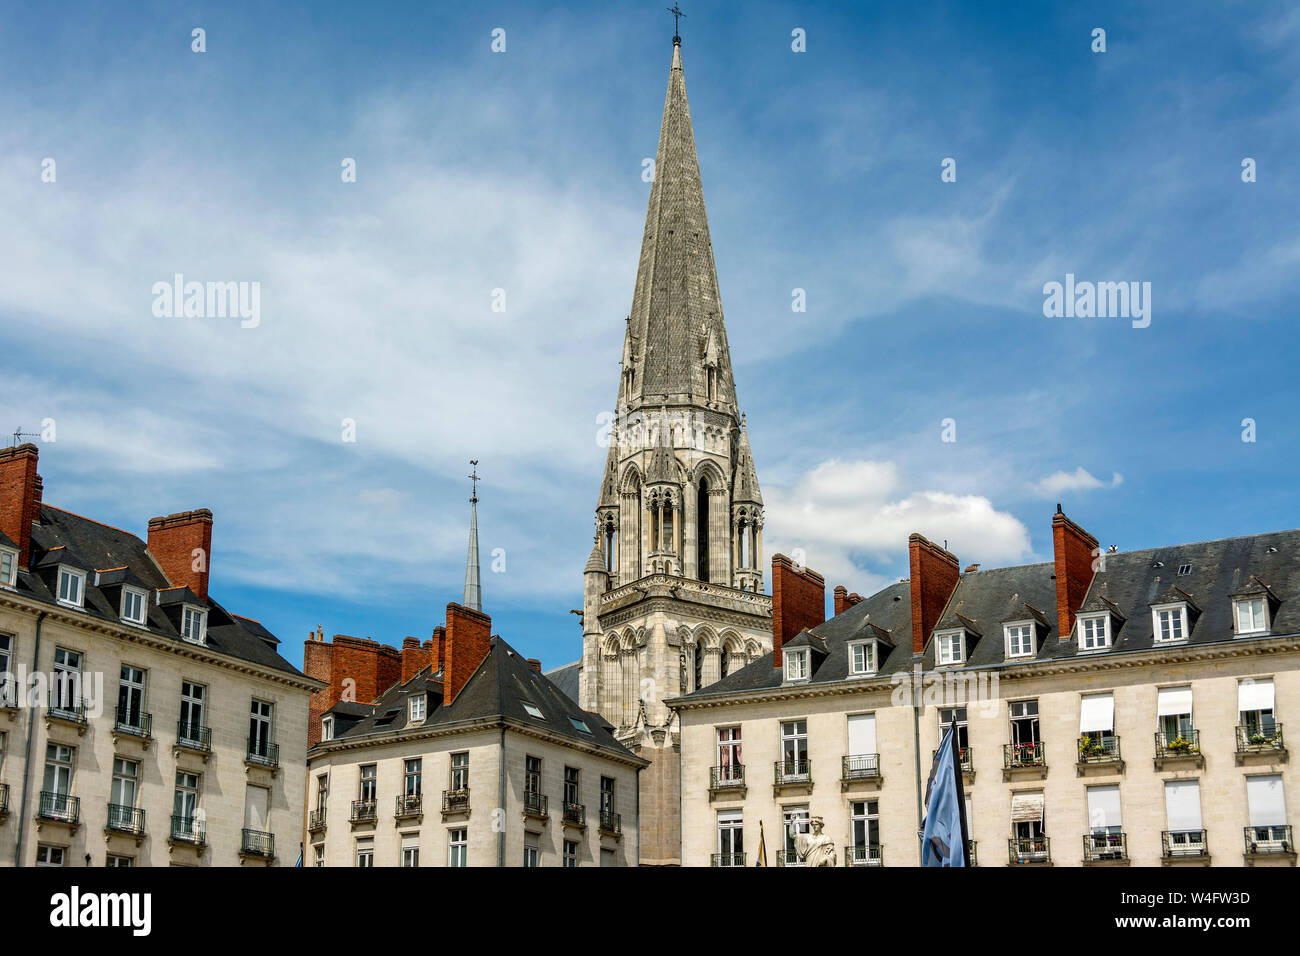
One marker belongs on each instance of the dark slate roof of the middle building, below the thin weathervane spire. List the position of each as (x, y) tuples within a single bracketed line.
[(500, 689)]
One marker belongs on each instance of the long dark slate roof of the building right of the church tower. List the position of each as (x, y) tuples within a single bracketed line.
[(1129, 585)]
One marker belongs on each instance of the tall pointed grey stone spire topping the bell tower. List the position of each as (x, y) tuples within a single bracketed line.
[(675, 330)]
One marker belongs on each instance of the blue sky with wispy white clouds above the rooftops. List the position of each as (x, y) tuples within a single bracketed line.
[(522, 171)]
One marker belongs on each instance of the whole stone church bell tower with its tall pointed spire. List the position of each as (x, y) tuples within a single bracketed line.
[(674, 590)]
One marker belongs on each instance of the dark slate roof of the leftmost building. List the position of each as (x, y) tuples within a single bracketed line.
[(124, 559)]
